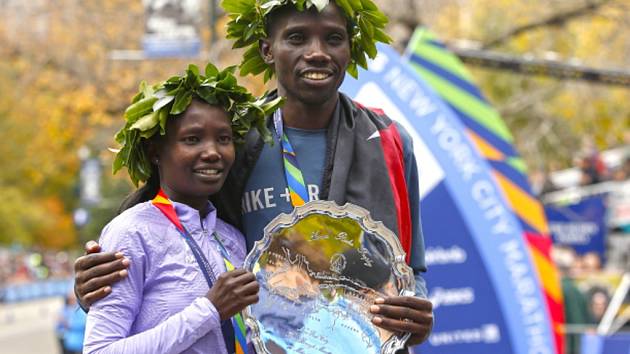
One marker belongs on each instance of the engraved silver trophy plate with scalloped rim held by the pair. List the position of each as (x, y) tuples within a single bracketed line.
[(320, 269)]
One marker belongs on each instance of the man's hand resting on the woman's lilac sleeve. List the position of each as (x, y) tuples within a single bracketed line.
[(95, 273)]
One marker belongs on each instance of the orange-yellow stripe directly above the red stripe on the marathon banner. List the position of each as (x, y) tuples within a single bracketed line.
[(527, 208)]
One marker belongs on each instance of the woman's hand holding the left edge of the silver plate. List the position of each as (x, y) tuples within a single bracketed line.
[(233, 291)]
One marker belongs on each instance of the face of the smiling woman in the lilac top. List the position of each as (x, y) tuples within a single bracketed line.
[(195, 155)]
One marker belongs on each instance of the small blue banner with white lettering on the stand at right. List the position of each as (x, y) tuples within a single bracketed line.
[(581, 225)]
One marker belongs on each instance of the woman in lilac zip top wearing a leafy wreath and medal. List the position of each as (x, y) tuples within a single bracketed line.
[(181, 293)]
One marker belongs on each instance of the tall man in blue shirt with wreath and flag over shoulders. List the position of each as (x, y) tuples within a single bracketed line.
[(343, 151)]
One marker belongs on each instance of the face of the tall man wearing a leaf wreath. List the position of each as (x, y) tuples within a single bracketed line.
[(310, 52)]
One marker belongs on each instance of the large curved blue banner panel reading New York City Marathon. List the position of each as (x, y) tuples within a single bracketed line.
[(483, 285)]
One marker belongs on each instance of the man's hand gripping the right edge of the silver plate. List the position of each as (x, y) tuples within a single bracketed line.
[(401, 314)]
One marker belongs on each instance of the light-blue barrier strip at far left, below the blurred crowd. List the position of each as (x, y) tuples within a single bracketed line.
[(35, 290)]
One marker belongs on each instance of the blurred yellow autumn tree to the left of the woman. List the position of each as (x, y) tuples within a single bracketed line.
[(60, 91)]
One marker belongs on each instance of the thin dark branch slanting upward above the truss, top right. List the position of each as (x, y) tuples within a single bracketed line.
[(558, 19)]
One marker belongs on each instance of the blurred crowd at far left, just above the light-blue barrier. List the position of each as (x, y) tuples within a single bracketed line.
[(19, 266)]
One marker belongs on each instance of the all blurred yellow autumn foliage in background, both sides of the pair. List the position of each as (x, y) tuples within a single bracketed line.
[(60, 89)]
